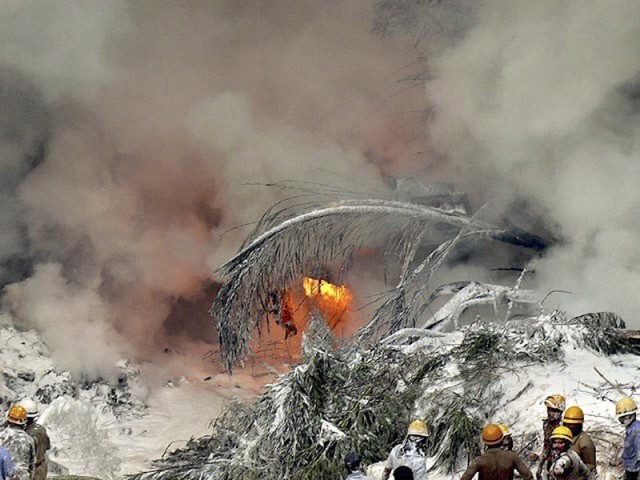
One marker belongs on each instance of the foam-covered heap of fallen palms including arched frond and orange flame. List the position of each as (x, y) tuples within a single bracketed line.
[(448, 366)]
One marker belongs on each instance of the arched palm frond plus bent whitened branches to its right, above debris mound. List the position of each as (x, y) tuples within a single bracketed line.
[(293, 239)]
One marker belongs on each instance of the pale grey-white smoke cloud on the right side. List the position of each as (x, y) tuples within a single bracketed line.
[(536, 105)]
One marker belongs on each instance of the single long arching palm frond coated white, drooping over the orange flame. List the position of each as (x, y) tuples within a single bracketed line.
[(284, 250)]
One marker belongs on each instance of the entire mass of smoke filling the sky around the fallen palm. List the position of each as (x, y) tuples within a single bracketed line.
[(132, 130)]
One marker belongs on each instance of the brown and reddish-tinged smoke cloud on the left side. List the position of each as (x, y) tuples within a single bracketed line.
[(140, 124)]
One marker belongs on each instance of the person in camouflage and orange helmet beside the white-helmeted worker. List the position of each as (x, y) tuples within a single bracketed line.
[(19, 443)]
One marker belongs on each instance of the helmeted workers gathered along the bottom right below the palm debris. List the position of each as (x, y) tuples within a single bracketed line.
[(568, 452)]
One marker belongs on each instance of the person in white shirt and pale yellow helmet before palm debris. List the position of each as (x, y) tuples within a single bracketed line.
[(412, 452)]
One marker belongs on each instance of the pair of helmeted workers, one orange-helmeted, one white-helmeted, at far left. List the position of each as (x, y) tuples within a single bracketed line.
[(23, 444)]
